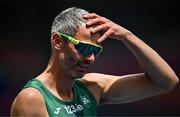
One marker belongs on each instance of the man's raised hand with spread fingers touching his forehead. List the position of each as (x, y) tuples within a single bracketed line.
[(106, 27)]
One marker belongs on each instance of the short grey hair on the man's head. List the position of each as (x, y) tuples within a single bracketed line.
[(68, 21)]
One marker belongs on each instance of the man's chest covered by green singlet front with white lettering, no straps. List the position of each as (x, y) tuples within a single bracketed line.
[(83, 106)]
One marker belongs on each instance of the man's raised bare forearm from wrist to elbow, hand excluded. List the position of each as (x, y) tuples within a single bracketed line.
[(152, 64)]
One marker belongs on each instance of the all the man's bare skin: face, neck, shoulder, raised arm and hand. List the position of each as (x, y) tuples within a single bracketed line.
[(158, 77)]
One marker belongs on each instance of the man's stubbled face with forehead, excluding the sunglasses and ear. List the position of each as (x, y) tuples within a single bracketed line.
[(74, 62)]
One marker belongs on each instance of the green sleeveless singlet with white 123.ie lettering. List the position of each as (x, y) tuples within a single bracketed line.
[(83, 103)]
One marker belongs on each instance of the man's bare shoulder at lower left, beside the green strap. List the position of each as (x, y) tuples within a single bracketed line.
[(29, 102)]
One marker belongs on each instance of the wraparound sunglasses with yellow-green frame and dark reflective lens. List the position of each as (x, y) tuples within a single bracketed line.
[(85, 48)]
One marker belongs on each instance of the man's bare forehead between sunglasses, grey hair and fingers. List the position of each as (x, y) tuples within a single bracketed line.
[(84, 34)]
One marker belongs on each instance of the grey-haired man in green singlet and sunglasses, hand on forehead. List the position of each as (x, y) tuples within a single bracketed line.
[(65, 89)]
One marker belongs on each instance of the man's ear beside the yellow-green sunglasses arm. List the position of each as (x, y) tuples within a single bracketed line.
[(56, 40)]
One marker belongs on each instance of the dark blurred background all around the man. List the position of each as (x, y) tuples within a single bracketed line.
[(25, 47)]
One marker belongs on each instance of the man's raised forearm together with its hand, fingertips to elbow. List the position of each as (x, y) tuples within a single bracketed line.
[(152, 64)]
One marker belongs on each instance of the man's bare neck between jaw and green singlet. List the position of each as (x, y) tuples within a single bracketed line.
[(58, 80)]
